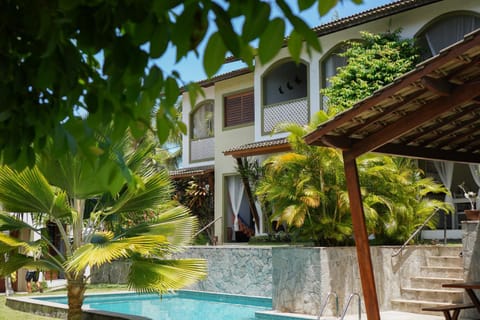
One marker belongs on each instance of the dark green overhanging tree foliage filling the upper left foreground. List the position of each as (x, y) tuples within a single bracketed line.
[(63, 60)]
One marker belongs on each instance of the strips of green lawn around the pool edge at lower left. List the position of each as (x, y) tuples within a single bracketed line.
[(10, 314)]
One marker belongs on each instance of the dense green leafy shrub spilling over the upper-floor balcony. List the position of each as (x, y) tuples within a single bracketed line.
[(373, 62)]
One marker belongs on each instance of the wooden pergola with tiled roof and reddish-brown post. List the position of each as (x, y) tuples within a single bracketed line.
[(432, 112)]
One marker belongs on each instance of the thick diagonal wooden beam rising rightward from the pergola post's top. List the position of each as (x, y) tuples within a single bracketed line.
[(415, 119)]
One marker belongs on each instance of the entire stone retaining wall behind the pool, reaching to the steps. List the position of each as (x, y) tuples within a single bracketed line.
[(299, 278)]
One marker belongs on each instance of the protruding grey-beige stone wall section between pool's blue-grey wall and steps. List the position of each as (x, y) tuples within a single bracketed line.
[(302, 277)]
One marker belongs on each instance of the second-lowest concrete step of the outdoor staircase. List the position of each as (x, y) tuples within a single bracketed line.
[(433, 295)]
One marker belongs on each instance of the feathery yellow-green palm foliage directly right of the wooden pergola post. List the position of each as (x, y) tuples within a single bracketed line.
[(397, 197)]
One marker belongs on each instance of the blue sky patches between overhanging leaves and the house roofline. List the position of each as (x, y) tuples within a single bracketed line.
[(191, 69)]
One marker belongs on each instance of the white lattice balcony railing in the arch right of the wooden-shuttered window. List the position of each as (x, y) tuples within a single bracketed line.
[(294, 111)]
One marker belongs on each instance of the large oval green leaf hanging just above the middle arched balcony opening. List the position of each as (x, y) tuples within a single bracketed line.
[(271, 40)]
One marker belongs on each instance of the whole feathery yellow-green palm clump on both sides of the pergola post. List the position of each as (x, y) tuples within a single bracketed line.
[(307, 190)]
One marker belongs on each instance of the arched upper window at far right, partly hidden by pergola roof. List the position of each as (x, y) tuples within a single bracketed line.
[(445, 31)]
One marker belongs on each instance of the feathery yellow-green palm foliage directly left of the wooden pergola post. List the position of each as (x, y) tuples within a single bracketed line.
[(305, 188)]
